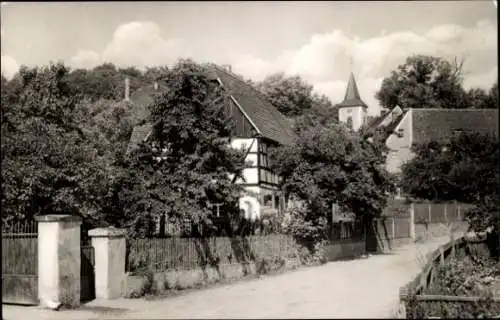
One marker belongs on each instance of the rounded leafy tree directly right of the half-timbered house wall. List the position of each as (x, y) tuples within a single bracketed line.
[(327, 166)]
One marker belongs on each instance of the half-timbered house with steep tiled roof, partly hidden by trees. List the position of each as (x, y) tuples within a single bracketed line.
[(258, 125)]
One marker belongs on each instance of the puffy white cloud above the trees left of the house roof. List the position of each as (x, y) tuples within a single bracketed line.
[(138, 43)]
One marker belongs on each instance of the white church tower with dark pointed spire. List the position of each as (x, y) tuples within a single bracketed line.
[(352, 110)]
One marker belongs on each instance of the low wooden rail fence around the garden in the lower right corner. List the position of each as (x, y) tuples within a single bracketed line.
[(412, 295)]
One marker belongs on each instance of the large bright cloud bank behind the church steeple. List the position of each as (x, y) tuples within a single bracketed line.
[(325, 60)]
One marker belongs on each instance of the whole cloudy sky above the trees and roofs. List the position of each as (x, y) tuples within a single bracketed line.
[(320, 41)]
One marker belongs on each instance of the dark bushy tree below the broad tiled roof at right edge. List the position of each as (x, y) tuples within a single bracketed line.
[(465, 168)]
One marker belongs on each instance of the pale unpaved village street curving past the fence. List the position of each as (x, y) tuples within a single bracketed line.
[(362, 288)]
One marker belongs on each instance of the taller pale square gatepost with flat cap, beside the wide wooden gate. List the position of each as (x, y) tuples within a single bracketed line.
[(59, 260)]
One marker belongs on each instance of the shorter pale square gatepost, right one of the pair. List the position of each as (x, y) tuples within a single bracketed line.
[(109, 250)]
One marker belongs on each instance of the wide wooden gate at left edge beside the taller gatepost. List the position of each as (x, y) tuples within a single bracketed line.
[(20, 264)]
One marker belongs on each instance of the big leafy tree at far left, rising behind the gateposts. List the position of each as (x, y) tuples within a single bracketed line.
[(49, 164)]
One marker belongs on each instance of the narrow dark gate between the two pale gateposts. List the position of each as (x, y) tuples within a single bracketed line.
[(87, 274)]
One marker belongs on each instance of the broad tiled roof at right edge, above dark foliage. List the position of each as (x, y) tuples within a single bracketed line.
[(438, 124)]
